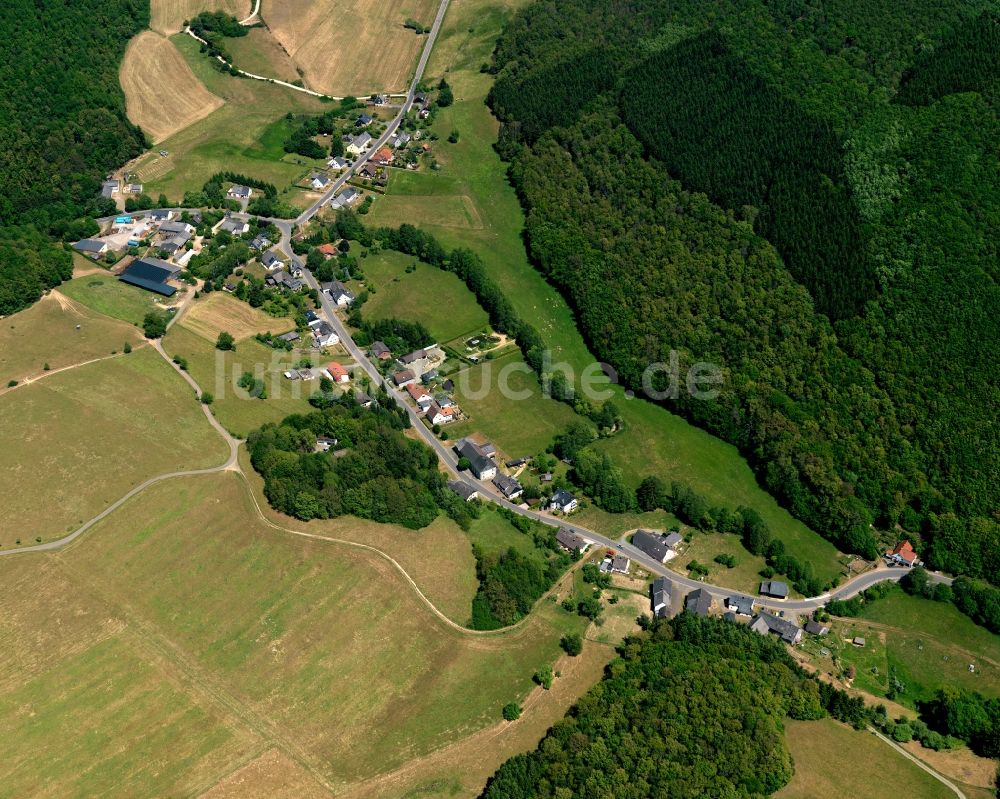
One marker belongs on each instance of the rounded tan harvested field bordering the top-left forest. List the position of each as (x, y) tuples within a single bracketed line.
[(162, 94)]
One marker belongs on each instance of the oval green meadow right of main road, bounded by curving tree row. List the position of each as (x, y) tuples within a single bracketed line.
[(426, 294)]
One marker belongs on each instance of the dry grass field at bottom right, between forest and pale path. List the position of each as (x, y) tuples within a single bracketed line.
[(833, 761)]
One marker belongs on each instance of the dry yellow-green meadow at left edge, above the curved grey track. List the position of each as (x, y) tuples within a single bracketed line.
[(79, 440)]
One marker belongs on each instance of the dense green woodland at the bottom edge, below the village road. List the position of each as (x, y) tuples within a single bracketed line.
[(692, 708)]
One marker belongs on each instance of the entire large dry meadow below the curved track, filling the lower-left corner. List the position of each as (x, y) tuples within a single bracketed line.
[(252, 626)]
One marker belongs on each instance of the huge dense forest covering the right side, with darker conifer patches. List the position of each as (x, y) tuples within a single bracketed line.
[(804, 194)]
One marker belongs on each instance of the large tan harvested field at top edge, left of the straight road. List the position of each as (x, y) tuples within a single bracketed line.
[(325, 38)]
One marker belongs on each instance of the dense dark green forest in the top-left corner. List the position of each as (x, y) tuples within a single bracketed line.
[(64, 129)]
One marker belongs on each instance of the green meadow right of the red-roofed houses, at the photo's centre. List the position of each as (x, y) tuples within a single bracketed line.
[(504, 402)]
